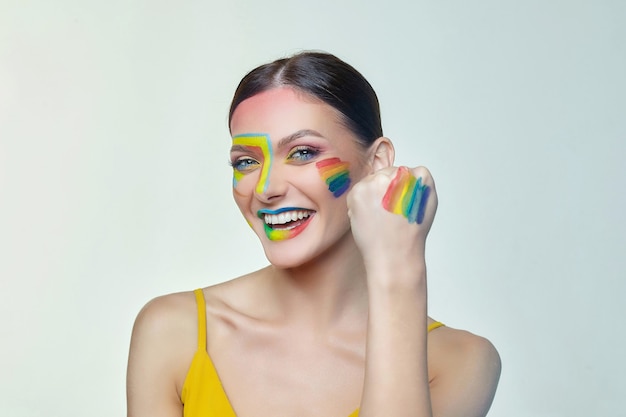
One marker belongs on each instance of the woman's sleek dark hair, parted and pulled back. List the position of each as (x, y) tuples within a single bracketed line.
[(325, 77)]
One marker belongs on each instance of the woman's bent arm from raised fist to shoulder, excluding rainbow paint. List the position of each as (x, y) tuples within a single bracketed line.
[(397, 376)]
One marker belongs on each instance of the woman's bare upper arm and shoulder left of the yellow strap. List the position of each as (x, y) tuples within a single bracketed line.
[(161, 348)]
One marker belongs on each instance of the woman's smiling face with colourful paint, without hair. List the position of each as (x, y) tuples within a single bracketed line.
[(293, 164)]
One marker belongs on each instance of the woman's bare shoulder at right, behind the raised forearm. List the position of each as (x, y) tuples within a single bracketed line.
[(464, 372)]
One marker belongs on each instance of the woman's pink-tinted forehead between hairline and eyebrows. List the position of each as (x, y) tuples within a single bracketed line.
[(281, 111)]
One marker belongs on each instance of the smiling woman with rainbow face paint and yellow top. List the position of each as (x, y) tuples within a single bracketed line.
[(337, 324)]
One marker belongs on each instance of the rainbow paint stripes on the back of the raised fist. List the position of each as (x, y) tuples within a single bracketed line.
[(407, 196)]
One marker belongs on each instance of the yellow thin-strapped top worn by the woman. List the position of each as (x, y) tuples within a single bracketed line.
[(203, 394)]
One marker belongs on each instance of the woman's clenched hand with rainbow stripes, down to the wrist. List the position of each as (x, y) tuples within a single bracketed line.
[(391, 212)]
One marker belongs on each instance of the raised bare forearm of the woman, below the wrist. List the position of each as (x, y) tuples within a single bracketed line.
[(396, 371)]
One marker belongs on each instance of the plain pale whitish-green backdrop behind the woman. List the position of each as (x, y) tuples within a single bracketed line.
[(115, 186)]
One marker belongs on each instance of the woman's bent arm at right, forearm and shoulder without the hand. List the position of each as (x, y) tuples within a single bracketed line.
[(465, 368)]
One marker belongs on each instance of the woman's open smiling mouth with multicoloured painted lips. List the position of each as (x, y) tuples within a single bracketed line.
[(284, 223)]
